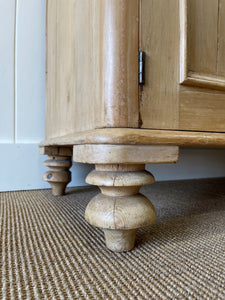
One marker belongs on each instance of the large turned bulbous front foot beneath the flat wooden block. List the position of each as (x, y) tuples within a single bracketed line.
[(120, 209)]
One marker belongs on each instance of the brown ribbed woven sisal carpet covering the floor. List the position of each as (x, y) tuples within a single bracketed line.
[(48, 251)]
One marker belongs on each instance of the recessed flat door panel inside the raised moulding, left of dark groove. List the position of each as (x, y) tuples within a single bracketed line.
[(202, 36)]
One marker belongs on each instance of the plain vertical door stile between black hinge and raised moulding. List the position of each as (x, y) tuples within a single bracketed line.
[(159, 38)]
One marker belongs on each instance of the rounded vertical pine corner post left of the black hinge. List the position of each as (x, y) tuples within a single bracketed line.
[(120, 65)]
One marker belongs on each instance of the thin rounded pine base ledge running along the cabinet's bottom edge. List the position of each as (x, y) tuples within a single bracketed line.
[(128, 136)]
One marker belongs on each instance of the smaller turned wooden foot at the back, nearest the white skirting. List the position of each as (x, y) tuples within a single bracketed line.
[(59, 175)]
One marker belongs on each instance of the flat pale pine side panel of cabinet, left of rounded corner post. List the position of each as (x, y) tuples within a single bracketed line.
[(74, 66)]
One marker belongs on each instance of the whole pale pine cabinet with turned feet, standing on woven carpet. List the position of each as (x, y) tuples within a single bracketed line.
[(107, 106)]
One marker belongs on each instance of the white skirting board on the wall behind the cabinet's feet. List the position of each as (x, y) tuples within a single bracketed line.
[(22, 169)]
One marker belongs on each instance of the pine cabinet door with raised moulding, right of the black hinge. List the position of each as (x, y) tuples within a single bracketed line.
[(184, 41)]
